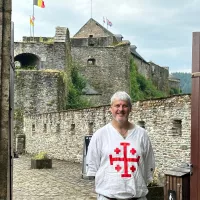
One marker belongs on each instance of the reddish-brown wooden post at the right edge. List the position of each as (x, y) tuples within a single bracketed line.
[(195, 119)]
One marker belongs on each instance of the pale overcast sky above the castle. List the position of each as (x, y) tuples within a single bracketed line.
[(161, 29)]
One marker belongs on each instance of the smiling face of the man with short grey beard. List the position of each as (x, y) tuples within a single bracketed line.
[(120, 110)]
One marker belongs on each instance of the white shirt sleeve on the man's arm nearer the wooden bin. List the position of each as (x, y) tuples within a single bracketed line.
[(149, 159)]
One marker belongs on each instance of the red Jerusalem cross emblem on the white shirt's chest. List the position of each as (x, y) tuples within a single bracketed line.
[(124, 159)]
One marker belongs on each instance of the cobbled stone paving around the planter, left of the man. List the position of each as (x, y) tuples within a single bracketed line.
[(62, 182)]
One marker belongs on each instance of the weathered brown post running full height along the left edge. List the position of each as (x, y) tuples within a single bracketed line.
[(5, 58)]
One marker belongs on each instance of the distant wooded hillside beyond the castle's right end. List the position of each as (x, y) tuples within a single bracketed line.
[(186, 81)]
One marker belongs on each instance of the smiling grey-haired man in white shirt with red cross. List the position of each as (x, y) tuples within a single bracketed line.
[(120, 155)]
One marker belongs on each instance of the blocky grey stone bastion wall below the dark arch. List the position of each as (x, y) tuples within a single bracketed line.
[(36, 92)]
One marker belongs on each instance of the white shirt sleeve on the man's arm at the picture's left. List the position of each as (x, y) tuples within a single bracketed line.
[(93, 156)]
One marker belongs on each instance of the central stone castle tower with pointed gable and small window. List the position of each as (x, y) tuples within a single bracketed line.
[(103, 60)]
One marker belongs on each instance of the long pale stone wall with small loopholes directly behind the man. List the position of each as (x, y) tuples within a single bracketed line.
[(61, 134)]
